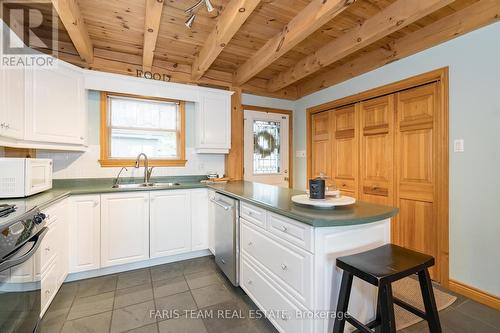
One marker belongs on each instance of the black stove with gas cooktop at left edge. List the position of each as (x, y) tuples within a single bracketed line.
[(21, 233)]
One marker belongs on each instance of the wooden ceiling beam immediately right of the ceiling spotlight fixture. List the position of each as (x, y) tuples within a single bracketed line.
[(229, 22)]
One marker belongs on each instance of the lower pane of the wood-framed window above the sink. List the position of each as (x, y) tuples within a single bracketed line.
[(130, 143)]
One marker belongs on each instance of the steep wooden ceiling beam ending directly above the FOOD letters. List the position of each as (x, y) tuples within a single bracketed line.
[(154, 8)]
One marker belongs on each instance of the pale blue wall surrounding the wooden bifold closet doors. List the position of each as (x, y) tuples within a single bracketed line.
[(474, 64)]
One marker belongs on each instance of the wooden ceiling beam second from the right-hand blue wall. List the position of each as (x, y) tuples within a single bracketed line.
[(393, 18)]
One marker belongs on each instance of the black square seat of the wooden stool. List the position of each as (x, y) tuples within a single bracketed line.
[(385, 264)]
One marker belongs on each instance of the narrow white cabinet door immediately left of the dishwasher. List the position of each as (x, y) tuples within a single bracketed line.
[(199, 219)]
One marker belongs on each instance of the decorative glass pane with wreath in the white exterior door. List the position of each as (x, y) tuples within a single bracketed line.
[(266, 157)]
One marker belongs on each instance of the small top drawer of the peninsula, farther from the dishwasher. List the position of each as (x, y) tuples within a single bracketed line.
[(295, 232)]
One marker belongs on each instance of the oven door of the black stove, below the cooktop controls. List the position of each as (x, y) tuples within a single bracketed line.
[(20, 289)]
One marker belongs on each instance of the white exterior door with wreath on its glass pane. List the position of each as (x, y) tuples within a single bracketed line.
[(266, 147)]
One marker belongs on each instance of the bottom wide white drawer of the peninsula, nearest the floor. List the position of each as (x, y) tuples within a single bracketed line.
[(281, 311)]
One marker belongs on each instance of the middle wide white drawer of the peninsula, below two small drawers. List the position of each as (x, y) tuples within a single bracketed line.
[(293, 267)]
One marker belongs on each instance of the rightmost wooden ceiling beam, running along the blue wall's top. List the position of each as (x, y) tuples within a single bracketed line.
[(480, 14)]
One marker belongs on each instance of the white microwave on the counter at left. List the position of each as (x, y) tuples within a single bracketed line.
[(22, 177)]
